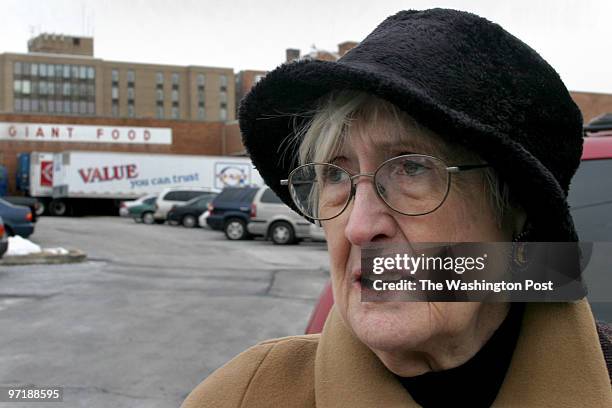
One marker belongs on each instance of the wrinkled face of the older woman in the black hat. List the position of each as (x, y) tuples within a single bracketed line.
[(466, 215)]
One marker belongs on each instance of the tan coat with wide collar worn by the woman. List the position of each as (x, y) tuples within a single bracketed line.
[(558, 362)]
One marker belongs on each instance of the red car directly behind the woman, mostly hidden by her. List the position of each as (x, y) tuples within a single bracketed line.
[(590, 200)]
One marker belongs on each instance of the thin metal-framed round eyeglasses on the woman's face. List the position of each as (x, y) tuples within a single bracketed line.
[(411, 184)]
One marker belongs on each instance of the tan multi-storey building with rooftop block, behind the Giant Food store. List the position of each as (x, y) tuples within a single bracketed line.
[(60, 76)]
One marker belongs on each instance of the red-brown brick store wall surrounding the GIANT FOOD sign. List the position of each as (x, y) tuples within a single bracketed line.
[(188, 137)]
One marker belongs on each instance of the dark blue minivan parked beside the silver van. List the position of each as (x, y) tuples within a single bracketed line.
[(230, 211)]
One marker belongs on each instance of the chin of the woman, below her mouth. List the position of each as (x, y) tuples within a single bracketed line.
[(389, 326)]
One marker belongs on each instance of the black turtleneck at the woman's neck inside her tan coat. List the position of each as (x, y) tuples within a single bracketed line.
[(475, 383)]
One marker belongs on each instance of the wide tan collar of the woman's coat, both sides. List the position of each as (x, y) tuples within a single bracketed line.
[(557, 362)]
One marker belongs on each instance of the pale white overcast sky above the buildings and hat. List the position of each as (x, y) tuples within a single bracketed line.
[(574, 36)]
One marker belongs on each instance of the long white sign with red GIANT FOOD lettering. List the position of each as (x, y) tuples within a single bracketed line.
[(47, 132)]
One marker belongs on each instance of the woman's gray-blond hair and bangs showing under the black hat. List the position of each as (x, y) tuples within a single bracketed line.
[(322, 137)]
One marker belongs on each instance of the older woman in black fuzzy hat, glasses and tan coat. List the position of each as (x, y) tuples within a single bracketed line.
[(490, 138)]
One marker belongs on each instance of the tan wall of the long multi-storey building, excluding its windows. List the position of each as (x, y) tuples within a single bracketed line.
[(145, 87)]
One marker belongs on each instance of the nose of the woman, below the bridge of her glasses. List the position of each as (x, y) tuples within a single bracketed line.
[(369, 218)]
